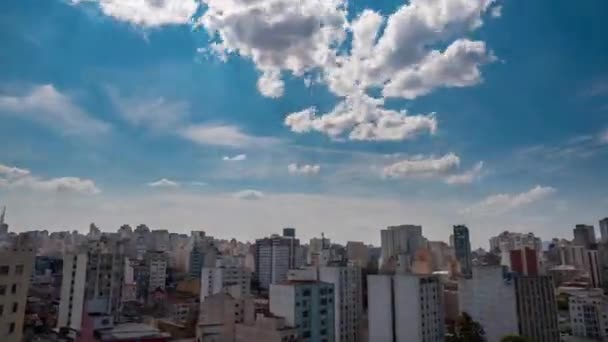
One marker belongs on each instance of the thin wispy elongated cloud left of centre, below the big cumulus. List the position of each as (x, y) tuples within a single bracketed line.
[(223, 135)]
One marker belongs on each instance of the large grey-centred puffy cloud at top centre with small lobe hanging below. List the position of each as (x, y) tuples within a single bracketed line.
[(296, 36)]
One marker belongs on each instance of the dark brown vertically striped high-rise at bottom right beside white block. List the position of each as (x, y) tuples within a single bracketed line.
[(536, 308)]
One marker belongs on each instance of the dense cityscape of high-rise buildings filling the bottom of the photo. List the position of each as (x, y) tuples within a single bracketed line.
[(154, 285)]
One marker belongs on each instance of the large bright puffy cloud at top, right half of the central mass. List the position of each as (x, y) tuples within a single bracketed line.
[(401, 62)]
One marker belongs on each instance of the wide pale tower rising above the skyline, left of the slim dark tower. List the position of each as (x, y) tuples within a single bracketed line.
[(400, 240)]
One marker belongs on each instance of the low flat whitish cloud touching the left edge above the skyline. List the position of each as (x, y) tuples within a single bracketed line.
[(17, 178)]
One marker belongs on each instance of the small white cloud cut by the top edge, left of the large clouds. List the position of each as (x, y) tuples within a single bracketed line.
[(149, 13)]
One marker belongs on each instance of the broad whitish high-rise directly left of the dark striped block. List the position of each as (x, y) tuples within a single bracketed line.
[(489, 298)]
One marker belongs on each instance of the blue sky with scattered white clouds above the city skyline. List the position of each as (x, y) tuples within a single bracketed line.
[(240, 117)]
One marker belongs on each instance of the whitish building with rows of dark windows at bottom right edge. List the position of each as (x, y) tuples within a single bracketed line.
[(588, 315)]
